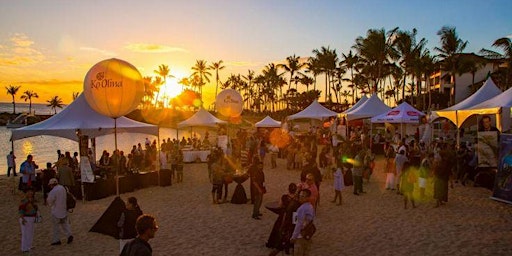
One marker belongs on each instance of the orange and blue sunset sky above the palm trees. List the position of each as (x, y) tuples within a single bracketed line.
[(49, 45)]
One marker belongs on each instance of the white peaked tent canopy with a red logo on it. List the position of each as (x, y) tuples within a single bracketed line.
[(402, 114)]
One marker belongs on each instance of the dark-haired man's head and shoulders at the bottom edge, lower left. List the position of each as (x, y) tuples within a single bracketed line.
[(146, 228)]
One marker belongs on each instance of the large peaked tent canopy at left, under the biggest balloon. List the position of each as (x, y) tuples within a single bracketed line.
[(80, 116)]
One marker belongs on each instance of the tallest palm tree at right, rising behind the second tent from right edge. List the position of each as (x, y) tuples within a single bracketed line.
[(451, 48)]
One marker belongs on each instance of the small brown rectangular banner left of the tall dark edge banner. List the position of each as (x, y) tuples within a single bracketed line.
[(487, 149)]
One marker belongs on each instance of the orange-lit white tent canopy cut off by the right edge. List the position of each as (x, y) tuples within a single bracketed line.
[(499, 105)]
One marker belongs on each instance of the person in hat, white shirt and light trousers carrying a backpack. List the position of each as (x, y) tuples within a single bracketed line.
[(57, 201)]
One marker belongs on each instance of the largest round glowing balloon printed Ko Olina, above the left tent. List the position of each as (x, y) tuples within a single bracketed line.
[(113, 87)]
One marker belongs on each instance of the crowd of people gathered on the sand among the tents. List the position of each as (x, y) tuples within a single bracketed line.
[(409, 164)]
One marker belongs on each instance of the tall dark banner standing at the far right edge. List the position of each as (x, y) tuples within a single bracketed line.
[(503, 181)]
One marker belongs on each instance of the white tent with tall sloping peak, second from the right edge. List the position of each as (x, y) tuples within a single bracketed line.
[(487, 91)]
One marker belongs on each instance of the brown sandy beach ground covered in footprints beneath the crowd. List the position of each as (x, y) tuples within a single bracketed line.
[(374, 223)]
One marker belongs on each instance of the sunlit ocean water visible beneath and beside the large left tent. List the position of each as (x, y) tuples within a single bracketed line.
[(44, 148)]
